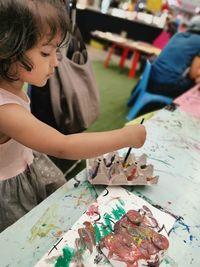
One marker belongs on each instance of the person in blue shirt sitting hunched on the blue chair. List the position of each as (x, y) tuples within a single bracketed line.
[(170, 73)]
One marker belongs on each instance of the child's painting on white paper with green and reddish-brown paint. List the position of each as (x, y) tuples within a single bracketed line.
[(119, 229)]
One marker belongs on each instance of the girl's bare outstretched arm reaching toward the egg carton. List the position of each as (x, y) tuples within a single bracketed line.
[(17, 123)]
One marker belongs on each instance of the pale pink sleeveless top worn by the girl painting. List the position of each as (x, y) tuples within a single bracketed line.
[(14, 157)]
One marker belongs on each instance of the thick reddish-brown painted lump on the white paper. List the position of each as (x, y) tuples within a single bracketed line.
[(135, 239)]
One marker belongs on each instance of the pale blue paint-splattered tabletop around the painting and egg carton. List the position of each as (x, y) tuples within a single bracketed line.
[(173, 147)]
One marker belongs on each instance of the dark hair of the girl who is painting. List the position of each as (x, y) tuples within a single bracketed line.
[(22, 24)]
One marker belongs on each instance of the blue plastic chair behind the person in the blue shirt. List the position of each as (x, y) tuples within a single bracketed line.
[(142, 97)]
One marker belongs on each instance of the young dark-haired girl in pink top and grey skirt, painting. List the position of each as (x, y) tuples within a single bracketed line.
[(31, 32)]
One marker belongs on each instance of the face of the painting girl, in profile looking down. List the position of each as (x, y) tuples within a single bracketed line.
[(44, 59)]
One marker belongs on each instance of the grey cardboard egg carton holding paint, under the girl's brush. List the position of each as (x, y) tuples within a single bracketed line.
[(110, 169)]
